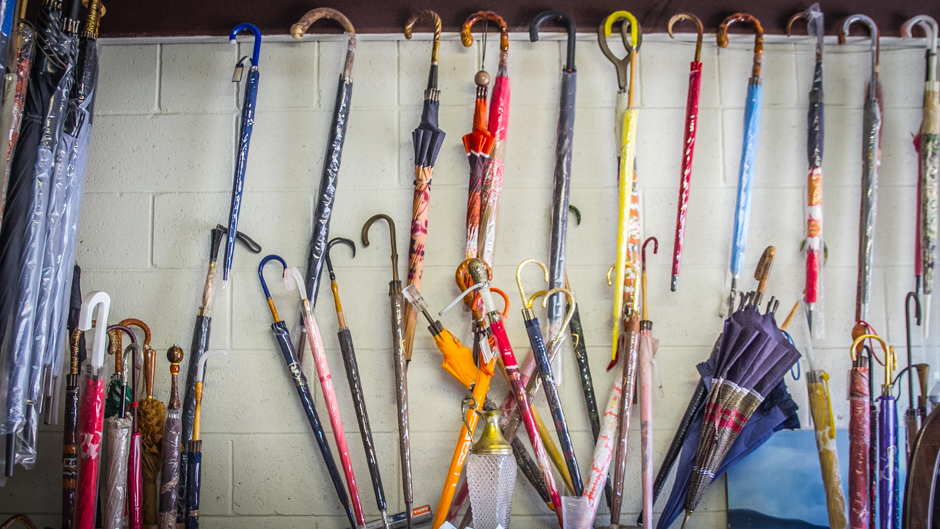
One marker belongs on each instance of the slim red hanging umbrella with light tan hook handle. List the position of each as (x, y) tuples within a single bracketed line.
[(688, 141)]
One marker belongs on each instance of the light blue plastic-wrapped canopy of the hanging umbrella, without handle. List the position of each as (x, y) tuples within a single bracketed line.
[(742, 209)]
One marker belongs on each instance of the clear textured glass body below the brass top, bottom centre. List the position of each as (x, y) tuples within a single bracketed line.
[(491, 479)]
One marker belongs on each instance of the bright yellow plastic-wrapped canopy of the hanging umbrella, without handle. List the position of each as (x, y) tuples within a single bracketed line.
[(625, 251)]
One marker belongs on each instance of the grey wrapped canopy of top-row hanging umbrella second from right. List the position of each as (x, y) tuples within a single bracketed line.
[(871, 162)]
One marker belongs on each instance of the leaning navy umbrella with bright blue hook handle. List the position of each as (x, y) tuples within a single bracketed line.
[(303, 390)]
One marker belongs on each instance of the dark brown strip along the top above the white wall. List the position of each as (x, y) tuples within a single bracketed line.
[(149, 18)]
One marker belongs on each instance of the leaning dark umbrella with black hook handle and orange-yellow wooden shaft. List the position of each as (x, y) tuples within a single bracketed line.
[(355, 383)]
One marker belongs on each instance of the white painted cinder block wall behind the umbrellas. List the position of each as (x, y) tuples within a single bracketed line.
[(160, 175)]
